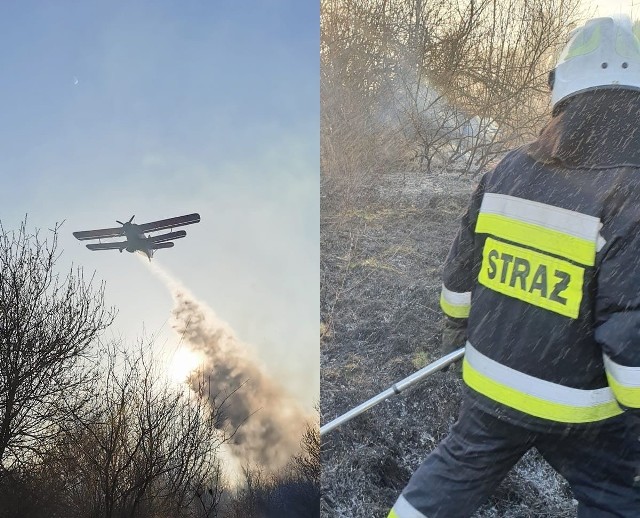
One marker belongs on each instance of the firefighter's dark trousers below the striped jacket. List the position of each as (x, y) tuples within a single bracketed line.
[(599, 463)]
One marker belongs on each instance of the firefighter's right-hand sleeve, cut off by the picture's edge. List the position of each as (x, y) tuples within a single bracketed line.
[(618, 317)]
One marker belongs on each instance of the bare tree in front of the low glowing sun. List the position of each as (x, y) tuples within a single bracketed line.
[(143, 448)]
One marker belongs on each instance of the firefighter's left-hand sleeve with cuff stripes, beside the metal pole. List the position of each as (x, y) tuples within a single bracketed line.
[(458, 278)]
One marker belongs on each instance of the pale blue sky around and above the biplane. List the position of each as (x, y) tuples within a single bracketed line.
[(161, 108)]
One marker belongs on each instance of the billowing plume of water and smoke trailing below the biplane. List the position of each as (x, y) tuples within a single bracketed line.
[(265, 423)]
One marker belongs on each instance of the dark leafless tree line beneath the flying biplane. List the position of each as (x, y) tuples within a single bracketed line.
[(93, 430)]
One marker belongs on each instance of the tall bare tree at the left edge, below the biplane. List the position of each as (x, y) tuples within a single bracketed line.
[(48, 324)]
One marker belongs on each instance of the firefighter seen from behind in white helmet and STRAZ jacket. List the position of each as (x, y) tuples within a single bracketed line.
[(542, 284)]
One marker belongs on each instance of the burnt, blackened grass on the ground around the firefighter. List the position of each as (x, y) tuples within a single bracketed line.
[(381, 256)]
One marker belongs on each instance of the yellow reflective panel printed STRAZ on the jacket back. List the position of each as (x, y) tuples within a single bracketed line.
[(535, 278)]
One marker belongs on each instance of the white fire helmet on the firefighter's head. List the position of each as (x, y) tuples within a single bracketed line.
[(603, 53)]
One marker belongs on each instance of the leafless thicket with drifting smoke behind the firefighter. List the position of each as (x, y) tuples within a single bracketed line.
[(413, 84)]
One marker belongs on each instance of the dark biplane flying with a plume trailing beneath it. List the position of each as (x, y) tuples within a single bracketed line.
[(136, 238)]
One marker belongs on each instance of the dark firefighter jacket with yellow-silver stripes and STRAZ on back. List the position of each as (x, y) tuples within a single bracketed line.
[(546, 267)]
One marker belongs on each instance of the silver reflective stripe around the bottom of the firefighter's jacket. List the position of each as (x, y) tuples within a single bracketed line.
[(536, 387)]
